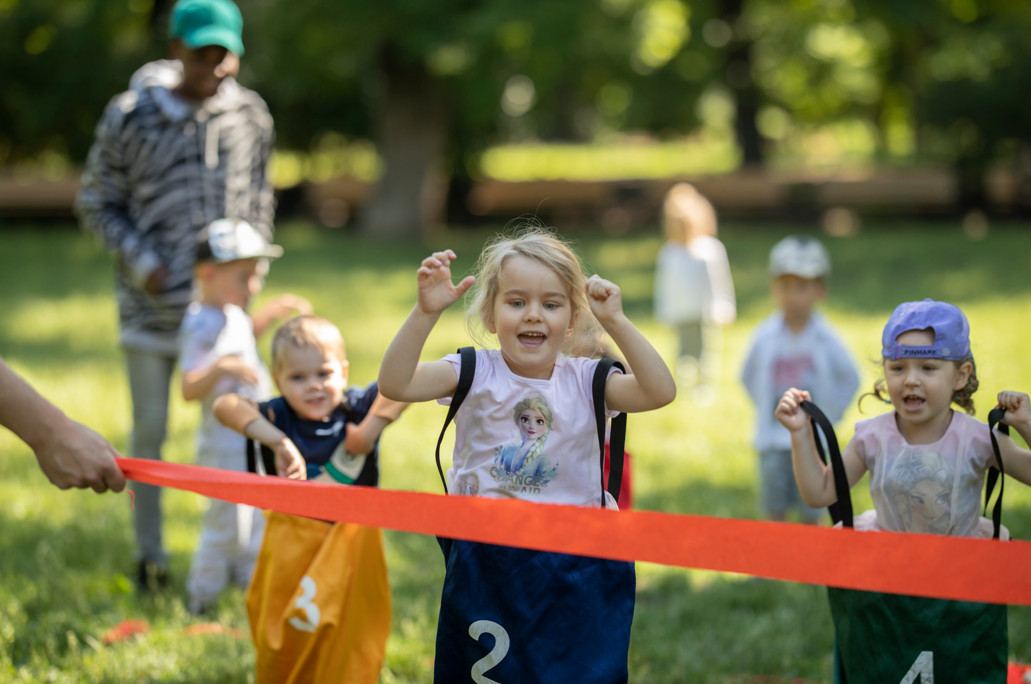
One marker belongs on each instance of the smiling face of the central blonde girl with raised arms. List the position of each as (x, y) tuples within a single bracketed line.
[(533, 316)]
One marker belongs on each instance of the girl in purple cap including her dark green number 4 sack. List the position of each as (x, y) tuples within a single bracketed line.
[(927, 467)]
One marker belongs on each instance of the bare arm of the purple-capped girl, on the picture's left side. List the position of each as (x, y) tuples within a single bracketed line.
[(815, 480)]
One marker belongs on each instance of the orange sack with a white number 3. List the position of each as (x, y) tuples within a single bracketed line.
[(319, 603)]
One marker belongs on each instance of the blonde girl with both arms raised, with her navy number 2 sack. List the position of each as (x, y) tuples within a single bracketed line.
[(534, 296)]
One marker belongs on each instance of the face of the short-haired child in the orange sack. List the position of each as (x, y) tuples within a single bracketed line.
[(312, 381)]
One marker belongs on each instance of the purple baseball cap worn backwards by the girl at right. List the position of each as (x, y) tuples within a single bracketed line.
[(952, 333)]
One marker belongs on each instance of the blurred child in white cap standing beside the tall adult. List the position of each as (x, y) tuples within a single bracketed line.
[(219, 355)]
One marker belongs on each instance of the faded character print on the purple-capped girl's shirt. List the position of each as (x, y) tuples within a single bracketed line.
[(923, 493)]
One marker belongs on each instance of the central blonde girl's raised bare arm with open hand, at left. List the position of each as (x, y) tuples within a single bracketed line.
[(403, 378)]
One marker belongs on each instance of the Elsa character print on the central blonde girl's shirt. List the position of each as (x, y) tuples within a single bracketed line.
[(525, 468)]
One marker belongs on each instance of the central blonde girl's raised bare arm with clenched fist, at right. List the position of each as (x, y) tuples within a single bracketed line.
[(651, 385)]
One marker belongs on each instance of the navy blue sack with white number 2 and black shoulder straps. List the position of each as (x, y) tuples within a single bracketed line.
[(519, 615)]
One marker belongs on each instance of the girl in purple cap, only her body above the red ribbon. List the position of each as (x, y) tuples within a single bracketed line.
[(928, 367)]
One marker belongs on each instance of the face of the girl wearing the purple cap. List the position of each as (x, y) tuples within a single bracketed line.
[(922, 389)]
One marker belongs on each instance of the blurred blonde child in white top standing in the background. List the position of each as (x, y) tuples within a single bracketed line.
[(694, 291)]
